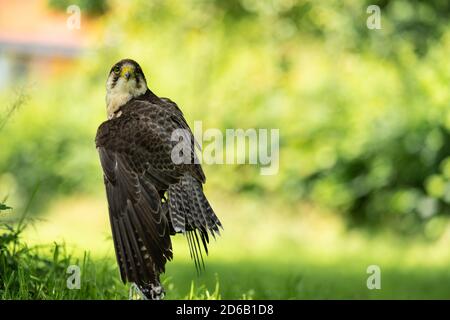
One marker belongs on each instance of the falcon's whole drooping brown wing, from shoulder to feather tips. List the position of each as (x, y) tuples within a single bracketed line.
[(136, 164)]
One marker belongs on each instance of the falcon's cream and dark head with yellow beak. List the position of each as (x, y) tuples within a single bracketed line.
[(125, 81)]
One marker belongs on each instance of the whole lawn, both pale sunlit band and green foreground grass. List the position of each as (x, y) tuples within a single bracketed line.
[(307, 256)]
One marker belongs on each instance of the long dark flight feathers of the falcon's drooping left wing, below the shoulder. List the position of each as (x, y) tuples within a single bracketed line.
[(139, 227)]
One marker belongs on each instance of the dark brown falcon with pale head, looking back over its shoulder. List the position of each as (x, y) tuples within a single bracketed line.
[(150, 196)]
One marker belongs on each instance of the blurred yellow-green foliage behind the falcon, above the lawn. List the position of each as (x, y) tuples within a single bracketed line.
[(363, 114)]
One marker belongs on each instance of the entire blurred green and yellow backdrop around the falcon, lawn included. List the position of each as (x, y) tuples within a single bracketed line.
[(364, 119)]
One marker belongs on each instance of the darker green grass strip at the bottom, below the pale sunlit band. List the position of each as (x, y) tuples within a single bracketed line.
[(34, 275)]
